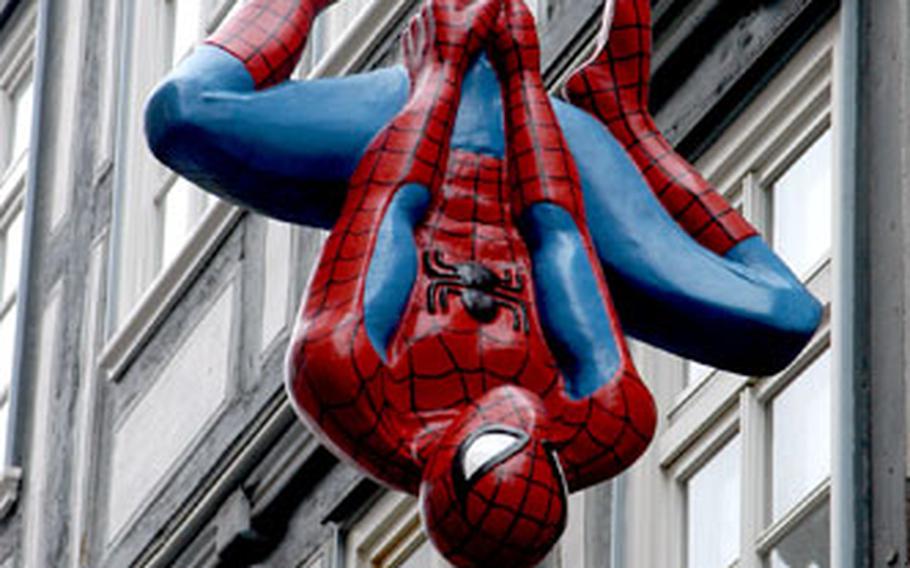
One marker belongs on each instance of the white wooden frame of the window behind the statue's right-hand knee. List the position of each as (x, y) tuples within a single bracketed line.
[(745, 162)]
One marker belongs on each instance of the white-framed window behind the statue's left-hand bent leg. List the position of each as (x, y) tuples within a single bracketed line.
[(163, 225)]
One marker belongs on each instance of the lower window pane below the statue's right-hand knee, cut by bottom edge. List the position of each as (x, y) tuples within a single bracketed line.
[(713, 510)]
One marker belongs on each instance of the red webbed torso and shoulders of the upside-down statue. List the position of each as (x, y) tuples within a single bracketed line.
[(441, 359)]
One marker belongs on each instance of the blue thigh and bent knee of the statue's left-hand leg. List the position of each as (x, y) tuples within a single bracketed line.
[(287, 151)]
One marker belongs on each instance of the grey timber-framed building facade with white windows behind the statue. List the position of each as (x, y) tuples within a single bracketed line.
[(143, 323)]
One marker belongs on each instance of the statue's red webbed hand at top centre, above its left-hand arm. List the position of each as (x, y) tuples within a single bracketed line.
[(448, 32)]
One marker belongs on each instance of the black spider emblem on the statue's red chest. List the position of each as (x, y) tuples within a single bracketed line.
[(483, 293)]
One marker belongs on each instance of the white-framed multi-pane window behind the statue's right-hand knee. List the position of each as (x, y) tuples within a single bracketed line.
[(748, 460)]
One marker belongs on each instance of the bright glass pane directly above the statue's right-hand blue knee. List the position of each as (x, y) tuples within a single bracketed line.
[(802, 208)]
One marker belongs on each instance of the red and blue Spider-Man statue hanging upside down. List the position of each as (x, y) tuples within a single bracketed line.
[(460, 338)]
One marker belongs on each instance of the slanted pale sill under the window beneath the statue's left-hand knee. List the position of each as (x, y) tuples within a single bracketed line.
[(163, 293)]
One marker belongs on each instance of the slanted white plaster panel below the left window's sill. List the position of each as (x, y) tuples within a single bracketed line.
[(164, 424)]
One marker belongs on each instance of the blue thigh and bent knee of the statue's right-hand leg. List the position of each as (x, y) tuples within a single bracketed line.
[(745, 311)]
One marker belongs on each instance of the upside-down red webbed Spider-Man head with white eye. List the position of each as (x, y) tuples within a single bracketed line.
[(494, 492)]
